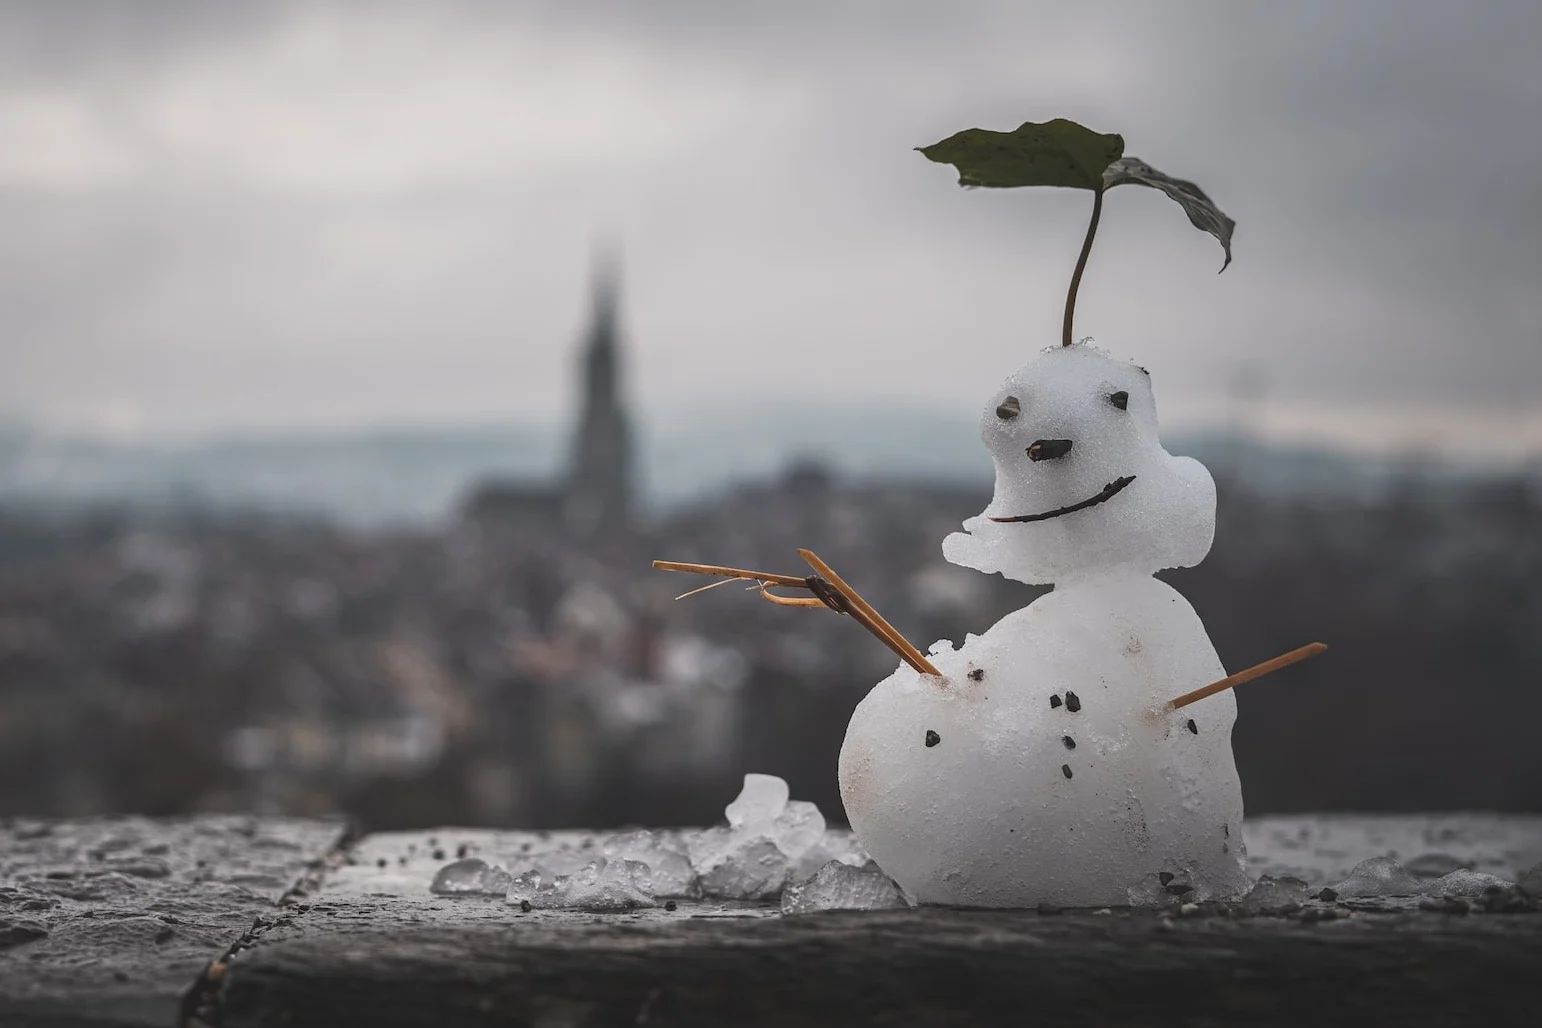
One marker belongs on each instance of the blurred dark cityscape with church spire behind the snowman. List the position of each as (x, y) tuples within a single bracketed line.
[(520, 663)]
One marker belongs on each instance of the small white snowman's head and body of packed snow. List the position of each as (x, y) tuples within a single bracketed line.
[(1043, 767)]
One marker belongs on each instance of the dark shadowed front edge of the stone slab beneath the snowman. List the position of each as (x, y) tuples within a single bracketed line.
[(920, 967)]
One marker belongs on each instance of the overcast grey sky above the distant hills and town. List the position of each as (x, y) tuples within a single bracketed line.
[(275, 217)]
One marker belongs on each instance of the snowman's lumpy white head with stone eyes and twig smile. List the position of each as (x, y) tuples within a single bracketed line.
[(1083, 485)]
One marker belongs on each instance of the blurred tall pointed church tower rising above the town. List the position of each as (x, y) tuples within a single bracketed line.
[(598, 500)]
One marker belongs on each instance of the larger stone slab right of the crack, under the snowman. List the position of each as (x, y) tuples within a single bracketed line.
[(379, 944)]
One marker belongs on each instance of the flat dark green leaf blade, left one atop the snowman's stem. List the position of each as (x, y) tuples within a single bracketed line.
[(1055, 153)]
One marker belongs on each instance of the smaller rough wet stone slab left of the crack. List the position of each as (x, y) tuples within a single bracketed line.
[(110, 921)]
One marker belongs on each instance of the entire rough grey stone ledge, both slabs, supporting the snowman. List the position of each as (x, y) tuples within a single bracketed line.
[(360, 939)]
